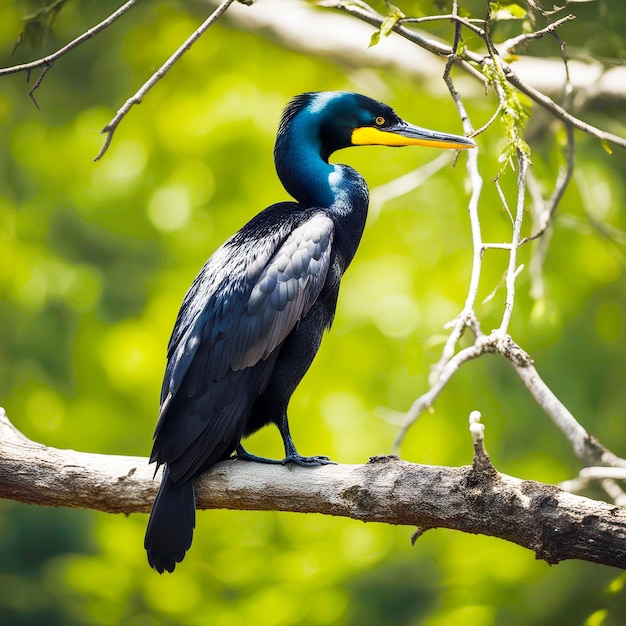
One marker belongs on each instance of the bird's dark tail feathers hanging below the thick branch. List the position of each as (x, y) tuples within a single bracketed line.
[(171, 524)]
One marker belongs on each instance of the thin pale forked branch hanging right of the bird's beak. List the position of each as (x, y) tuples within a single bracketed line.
[(585, 446)]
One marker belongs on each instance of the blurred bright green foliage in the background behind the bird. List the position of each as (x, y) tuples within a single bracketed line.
[(96, 257)]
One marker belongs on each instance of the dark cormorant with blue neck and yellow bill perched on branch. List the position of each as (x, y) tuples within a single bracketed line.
[(252, 321)]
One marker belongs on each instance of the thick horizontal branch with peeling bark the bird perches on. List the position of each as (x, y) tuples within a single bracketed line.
[(554, 524)]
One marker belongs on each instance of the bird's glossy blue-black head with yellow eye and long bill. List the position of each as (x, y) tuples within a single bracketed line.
[(334, 119)]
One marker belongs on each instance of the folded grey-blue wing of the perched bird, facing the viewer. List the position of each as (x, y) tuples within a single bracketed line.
[(233, 323)]
